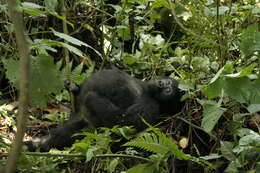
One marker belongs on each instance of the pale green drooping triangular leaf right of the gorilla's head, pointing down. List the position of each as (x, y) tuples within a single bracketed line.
[(211, 115)]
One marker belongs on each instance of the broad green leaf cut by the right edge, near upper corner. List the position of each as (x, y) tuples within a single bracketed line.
[(250, 40)]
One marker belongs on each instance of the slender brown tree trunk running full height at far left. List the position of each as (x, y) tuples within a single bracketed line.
[(15, 12)]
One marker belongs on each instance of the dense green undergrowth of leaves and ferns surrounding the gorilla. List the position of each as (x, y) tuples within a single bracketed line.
[(210, 47)]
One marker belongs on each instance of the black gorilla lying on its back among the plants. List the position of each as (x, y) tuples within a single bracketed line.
[(112, 97)]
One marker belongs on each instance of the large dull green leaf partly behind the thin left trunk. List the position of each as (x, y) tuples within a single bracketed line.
[(44, 78)]
